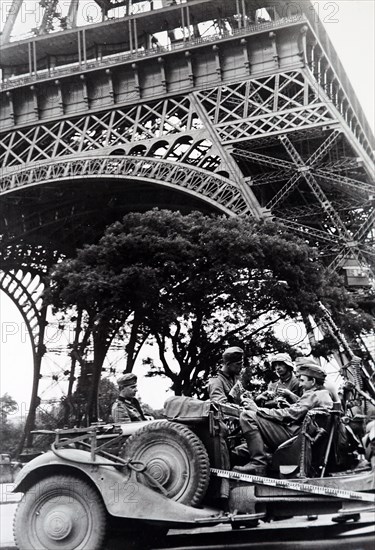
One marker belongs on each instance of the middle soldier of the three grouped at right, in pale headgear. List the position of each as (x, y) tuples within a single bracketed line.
[(286, 389)]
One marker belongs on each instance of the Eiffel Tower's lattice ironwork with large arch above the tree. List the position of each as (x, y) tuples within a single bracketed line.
[(239, 107)]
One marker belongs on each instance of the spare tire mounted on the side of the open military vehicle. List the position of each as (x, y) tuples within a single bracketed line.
[(174, 456)]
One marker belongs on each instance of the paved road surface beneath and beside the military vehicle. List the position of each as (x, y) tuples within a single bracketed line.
[(292, 534)]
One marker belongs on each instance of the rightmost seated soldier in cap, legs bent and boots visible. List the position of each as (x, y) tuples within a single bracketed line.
[(274, 426)]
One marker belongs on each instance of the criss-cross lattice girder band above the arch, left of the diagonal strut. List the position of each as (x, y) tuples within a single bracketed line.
[(170, 119)]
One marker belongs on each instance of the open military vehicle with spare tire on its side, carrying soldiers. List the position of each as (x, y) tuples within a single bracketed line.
[(177, 473)]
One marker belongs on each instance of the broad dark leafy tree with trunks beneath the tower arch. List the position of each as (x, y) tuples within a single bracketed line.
[(195, 283)]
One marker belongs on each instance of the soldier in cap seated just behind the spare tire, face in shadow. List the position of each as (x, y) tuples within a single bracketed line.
[(221, 386)]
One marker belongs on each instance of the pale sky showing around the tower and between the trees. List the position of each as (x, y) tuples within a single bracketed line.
[(350, 25)]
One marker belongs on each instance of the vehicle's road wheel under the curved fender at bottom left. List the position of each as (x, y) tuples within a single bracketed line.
[(60, 513)]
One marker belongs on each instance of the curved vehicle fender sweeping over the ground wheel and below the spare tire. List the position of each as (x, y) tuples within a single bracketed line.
[(122, 494)]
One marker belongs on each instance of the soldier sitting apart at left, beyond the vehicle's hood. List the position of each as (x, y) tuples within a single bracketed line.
[(127, 408)]
